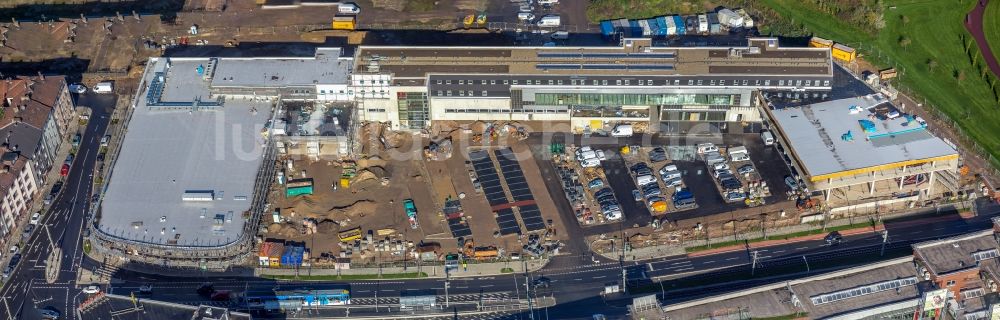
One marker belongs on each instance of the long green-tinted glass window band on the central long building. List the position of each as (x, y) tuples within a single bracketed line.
[(633, 99)]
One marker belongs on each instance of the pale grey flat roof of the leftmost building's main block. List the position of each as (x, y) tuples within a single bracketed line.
[(184, 175)]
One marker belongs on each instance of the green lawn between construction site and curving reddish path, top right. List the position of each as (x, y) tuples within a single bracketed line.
[(934, 31)]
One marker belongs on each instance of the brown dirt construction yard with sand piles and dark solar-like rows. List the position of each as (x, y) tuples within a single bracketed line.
[(414, 197)]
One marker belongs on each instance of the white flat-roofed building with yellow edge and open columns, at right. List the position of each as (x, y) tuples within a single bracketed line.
[(861, 148)]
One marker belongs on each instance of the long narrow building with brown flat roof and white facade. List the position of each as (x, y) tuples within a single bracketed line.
[(411, 86)]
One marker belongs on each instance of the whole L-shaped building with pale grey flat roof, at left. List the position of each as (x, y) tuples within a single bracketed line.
[(196, 158)]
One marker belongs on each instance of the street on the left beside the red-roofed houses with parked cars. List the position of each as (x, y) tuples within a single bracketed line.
[(26, 288)]
